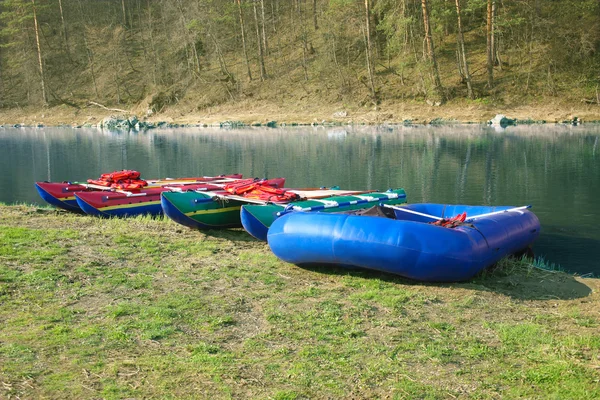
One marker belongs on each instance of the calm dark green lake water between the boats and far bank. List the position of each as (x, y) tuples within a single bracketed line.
[(555, 168)]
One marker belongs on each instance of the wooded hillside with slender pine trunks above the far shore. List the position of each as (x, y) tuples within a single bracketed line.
[(212, 52)]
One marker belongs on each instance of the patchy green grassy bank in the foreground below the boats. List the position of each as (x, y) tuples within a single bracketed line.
[(145, 308)]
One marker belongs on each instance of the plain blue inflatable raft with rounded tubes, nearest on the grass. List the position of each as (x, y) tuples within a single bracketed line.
[(407, 244)]
